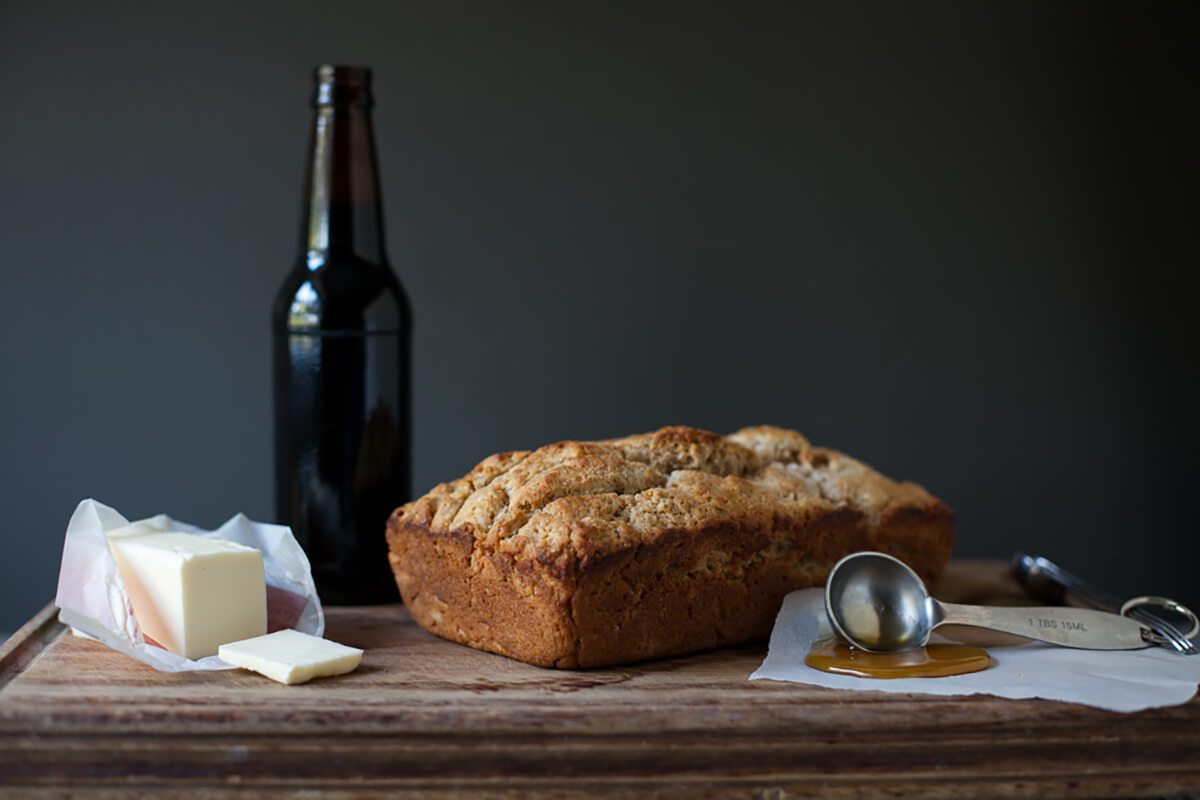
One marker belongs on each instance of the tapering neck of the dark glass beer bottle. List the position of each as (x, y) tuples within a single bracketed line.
[(343, 204)]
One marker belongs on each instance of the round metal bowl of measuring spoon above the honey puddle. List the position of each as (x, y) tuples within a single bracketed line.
[(878, 604)]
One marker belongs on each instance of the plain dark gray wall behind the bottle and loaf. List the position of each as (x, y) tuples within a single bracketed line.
[(946, 238)]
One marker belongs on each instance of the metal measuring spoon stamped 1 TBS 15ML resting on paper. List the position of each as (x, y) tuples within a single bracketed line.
[(880, 605)]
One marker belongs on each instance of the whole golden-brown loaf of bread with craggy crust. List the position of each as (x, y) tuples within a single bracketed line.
[(597, 554)]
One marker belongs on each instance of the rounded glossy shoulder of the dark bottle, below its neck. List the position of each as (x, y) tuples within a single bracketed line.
[(343, 294)]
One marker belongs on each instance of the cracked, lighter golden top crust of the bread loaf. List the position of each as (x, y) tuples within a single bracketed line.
[(581, 501)]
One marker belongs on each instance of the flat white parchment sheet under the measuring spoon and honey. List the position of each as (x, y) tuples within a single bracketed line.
[(1118, 681)]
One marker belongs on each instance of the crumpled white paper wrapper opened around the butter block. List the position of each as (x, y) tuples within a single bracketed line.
[(93, 600)]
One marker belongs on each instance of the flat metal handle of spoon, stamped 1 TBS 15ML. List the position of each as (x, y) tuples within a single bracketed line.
[(1070, 628)]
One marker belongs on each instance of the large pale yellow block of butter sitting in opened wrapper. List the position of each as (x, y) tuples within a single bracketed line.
[(191, 594)]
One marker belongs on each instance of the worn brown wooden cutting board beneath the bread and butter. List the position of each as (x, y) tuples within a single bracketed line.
[(428, 718)]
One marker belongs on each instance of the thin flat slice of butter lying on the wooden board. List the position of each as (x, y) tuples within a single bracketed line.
[(292, 657)]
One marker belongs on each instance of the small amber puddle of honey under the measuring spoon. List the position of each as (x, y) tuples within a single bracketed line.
[(931, 661)]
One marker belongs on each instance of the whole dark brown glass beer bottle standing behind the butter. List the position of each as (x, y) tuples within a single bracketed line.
[(341, 329)]
